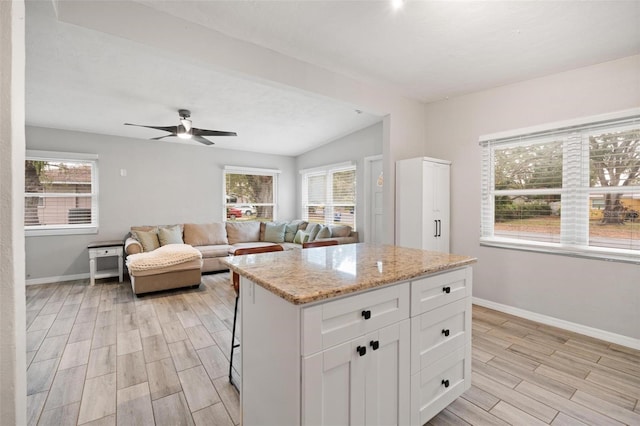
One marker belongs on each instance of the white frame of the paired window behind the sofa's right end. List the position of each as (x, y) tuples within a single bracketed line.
[(329, 206)]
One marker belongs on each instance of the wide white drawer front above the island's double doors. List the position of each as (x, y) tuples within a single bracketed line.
[(332, 323)]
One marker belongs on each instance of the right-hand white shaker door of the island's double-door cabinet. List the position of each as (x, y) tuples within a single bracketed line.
[(387, 376)]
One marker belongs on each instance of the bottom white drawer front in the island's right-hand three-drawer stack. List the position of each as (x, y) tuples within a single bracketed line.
[(433, 388)]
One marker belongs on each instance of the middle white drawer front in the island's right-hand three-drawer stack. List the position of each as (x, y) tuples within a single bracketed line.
[(437, 333)]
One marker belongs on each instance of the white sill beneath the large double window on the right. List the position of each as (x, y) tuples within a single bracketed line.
[(611, 255)]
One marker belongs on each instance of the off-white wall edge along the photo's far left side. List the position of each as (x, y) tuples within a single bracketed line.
[(13, 389)]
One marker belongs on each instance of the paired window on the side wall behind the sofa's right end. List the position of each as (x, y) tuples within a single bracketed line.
[(329, 195)]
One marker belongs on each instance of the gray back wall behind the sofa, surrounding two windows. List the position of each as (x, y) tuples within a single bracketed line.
[(165, 183)]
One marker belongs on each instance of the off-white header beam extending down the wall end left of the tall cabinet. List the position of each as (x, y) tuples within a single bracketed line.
[(403, 126)]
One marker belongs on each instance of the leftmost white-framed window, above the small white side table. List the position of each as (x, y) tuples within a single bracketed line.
[(61, 193)]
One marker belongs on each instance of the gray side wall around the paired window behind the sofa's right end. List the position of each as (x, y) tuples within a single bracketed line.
[(354, 147)]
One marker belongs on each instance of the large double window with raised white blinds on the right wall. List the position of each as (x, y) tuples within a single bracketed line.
[(573, 189)]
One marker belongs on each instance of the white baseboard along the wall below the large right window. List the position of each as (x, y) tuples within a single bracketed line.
[(607, 336)]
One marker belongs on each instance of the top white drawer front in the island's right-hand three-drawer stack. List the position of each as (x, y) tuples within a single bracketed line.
[(431, 292)]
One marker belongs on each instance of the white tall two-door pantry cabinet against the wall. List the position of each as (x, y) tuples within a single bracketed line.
[(422, 203)]
